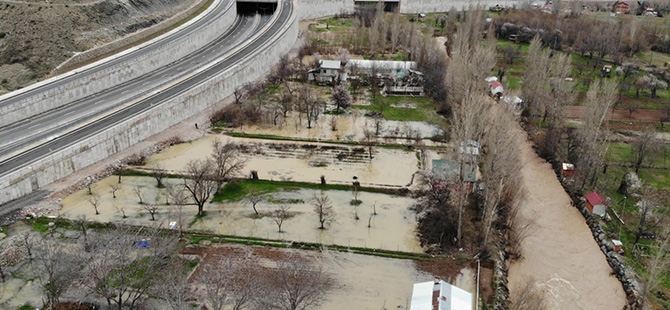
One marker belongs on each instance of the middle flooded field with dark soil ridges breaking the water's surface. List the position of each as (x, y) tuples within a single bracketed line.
[(302, 161)]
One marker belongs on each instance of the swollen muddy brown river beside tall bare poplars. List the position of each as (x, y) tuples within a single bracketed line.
[(560, 253)]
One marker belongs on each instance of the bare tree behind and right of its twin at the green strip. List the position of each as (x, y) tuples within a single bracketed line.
[(227, 161)]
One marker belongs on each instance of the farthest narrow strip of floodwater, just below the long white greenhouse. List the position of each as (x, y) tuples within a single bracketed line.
[(349, 128)]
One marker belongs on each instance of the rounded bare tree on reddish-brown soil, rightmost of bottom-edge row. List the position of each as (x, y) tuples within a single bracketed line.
[(298, 284)]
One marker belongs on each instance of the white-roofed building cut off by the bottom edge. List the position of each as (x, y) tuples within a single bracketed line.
[(440, 295)]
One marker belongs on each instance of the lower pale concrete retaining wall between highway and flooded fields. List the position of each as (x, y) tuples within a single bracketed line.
[(106, 143)]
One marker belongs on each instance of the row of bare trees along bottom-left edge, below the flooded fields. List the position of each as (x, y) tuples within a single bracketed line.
[(126, 266)]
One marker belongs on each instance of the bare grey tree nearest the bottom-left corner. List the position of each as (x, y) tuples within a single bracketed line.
[(58, 268)]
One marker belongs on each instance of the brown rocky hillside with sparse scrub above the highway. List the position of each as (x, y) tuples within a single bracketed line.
[(36, 36)]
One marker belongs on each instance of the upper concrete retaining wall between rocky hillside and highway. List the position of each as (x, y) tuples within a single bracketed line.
[(120, 73)]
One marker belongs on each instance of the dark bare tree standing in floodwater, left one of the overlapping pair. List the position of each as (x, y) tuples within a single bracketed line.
[(199, 183)]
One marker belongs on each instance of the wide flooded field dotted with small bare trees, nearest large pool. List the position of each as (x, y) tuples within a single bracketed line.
[(393, 228)]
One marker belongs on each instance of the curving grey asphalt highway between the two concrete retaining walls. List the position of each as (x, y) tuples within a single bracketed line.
[(80, 123)]
